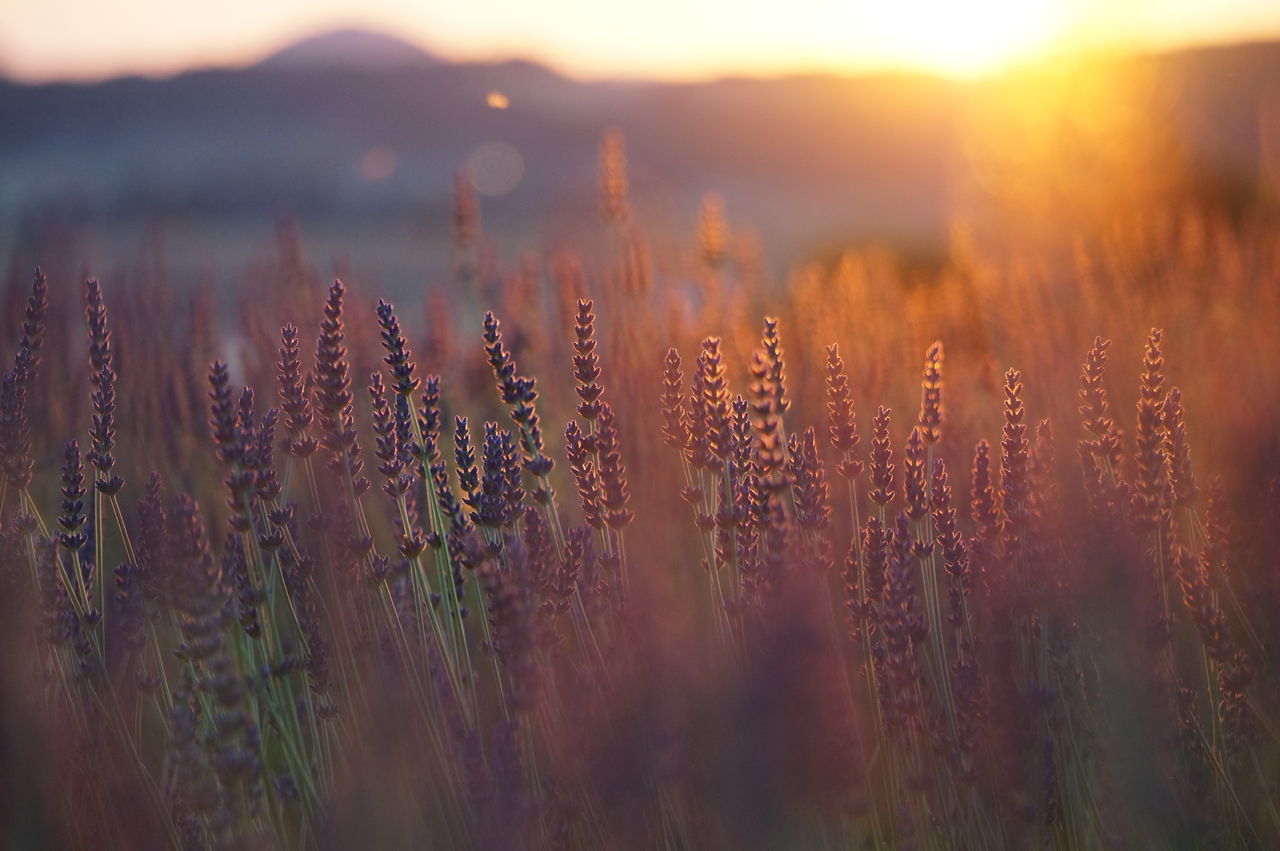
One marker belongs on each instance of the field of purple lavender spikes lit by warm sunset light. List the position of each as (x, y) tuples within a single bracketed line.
[(702, 583)]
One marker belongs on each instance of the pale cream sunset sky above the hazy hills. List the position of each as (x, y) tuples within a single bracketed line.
[(671, 39)]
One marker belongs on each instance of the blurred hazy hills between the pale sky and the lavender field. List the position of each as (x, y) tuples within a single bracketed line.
[(359, 136)]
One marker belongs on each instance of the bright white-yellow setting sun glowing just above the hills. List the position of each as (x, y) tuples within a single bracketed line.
[(964, 38)]
